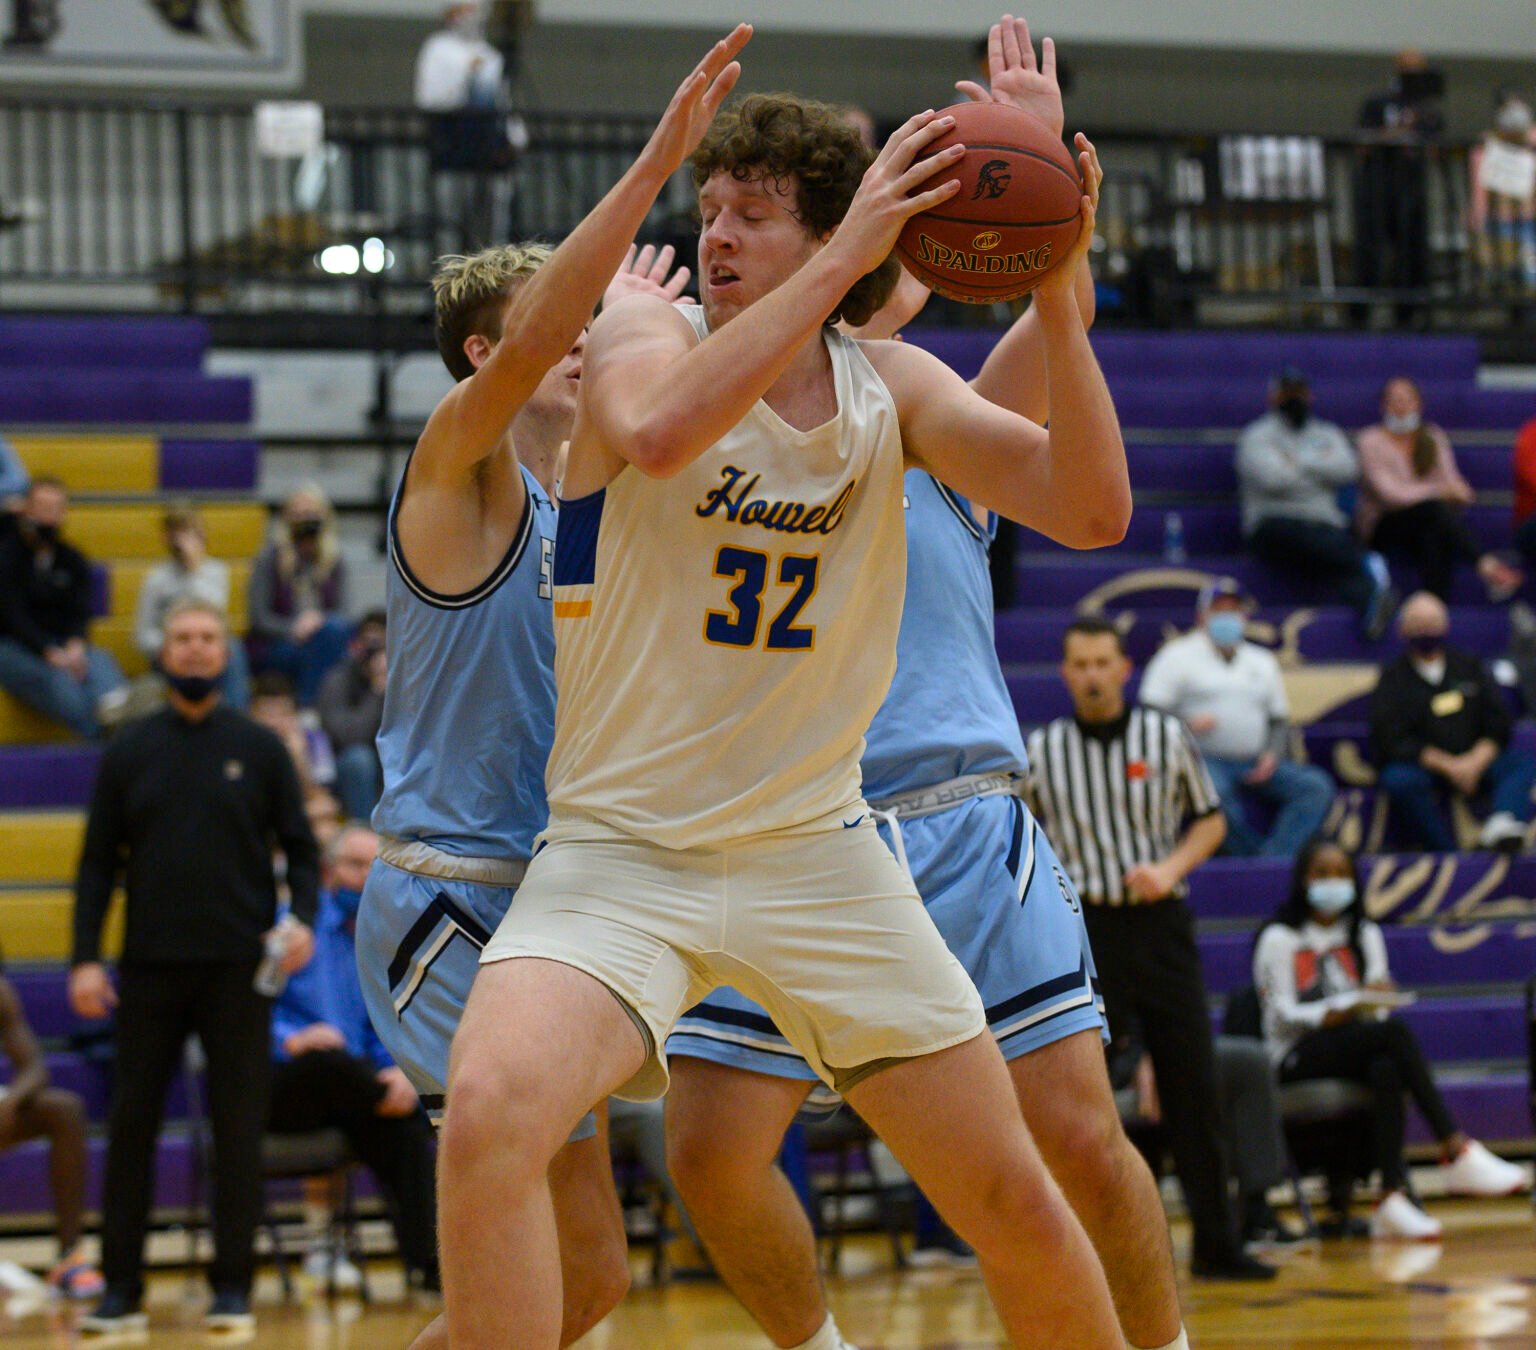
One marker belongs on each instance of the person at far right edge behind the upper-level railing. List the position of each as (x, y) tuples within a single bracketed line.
[(1503, 207)]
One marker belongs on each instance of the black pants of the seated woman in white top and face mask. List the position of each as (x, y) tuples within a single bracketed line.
[(1386, 1057)]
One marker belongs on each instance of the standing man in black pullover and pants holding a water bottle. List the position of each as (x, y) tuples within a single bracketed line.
[(190, 804)]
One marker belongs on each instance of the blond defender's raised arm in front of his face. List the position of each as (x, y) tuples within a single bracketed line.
[(546, 317)]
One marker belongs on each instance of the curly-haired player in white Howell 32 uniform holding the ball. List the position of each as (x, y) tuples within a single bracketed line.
[(729, 583)]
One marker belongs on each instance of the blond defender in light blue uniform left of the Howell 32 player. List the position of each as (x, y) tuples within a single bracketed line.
[(471, 704)]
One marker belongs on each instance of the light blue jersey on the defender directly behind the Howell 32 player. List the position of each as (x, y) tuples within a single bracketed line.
[(948, 710)]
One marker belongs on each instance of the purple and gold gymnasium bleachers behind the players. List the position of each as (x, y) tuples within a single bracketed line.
[(150, 425)]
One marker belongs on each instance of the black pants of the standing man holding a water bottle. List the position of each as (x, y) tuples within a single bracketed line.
[(162, 1004)]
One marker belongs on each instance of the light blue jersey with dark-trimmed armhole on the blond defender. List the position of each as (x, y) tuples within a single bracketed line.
[(469, 712)]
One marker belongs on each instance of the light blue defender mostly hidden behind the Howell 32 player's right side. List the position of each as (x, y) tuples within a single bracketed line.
[(944, 767)]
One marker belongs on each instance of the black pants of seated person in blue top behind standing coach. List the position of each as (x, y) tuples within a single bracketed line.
[(331, 1090)]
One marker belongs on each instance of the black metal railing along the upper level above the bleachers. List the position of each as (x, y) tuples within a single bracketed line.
[(171, 207)]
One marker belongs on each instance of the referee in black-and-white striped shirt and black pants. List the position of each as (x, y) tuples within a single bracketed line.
[(1113, 789)]
